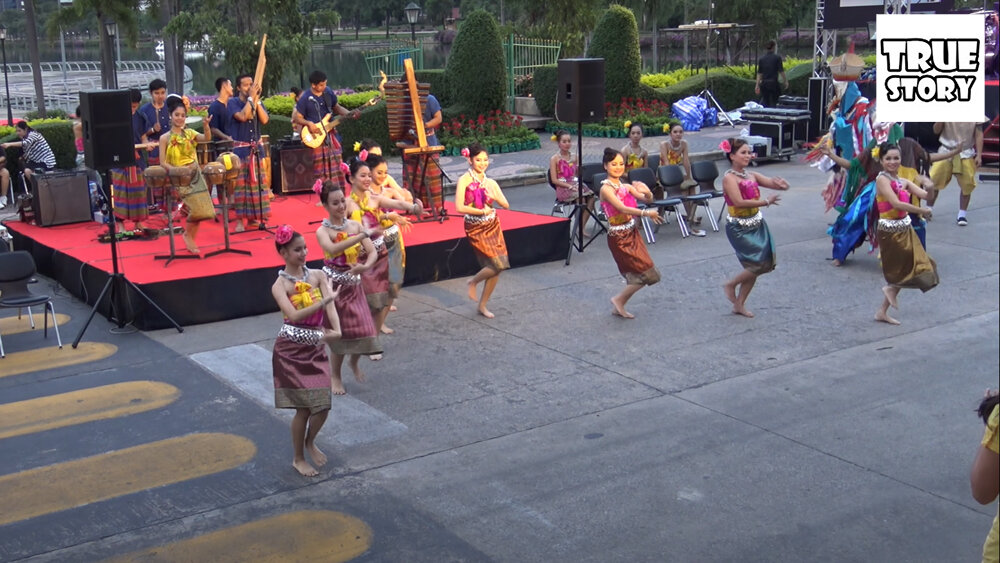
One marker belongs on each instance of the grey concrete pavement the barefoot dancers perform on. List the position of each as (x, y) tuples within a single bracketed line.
[(557, 432)]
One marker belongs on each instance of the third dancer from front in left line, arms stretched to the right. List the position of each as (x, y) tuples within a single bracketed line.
[(366, 208)]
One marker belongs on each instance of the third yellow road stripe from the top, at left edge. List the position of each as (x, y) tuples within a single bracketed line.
[(85, 405)]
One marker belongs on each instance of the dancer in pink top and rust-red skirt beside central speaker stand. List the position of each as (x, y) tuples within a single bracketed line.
[(627, 248)]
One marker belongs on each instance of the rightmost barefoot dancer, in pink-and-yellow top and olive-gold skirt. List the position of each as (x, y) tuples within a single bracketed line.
[(905, 263)]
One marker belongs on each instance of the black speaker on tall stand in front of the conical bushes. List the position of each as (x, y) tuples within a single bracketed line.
[(581, 91)]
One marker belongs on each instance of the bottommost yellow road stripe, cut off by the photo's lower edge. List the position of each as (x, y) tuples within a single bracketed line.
[(304, 536)]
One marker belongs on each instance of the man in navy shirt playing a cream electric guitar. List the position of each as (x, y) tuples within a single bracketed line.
[(311, 108)]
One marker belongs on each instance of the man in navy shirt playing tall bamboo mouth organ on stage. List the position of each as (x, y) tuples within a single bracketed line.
[(251, 199)]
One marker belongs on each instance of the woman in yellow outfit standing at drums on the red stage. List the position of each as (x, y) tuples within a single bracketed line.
[(178, 148)]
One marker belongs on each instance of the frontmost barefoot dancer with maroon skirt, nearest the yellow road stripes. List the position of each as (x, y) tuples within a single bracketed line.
[(301, 367)]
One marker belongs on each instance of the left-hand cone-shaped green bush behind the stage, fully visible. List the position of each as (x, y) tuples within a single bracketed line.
[(477, 77)]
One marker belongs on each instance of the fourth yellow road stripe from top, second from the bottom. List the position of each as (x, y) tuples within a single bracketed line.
[(83, 481)]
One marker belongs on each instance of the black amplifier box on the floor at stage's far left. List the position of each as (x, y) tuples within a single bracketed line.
[(61, 198)]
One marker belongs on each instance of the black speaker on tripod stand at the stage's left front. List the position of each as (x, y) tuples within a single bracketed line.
[(107, 129)]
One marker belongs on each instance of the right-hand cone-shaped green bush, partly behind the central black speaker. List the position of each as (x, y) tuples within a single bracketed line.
[(616, 40)]
